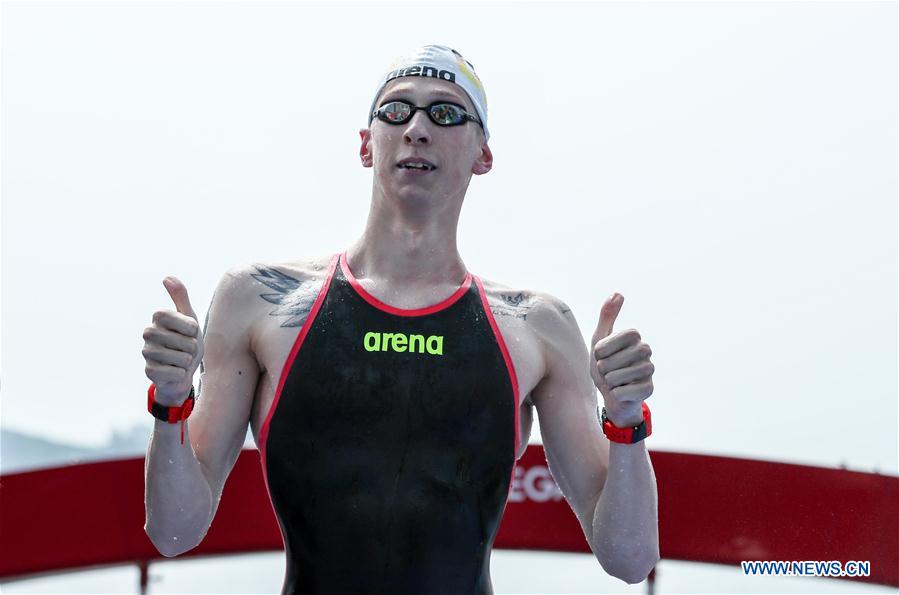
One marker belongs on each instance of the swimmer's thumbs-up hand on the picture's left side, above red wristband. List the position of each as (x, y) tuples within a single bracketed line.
[(173, 347)]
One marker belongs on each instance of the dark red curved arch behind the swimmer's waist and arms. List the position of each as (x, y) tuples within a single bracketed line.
[(717, 510)]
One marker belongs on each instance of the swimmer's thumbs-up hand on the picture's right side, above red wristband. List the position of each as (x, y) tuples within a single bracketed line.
[(621, 368)]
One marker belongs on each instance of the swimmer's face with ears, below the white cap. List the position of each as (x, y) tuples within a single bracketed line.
[(455, 151)]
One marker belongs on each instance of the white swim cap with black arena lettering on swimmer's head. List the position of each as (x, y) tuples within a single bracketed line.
[(440, 62)]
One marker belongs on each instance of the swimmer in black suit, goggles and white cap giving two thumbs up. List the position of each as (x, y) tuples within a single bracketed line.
[(390, 390)]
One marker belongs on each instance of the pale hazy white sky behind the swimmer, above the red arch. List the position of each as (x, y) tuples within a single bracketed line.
[(730, 168)]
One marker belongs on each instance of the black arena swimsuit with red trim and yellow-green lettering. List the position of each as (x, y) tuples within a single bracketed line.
[(389, 448)]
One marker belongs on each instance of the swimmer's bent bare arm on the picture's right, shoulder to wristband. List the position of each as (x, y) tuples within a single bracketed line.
[(611, 487)]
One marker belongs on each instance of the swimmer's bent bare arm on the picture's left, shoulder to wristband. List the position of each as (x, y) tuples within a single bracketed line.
[(183, 482)]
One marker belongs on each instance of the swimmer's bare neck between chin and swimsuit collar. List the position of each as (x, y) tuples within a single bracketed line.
[(414, 250)]
